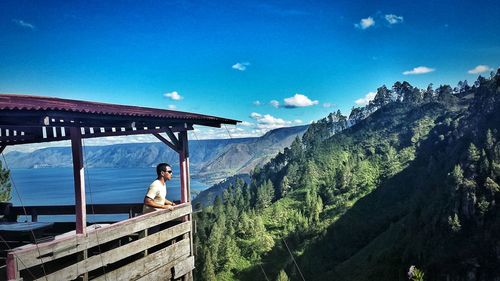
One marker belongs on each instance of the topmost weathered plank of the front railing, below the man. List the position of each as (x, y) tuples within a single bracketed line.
[(32, 255)]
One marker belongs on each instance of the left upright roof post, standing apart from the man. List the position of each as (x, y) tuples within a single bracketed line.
[(79, 179)]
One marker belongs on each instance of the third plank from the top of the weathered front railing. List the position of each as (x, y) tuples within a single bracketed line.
[(163, 261)]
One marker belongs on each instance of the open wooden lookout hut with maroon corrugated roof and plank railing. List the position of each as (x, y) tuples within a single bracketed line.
[(115, 251)]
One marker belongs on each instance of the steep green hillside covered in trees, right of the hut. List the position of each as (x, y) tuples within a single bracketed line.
[(412, 179)]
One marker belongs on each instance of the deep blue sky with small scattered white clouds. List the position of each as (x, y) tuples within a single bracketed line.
[(267, 63)]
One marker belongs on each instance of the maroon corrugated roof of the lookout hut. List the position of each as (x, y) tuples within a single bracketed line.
[(34, 119)]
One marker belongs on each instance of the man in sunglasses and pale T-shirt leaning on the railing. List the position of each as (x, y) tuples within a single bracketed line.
[(155, 198)]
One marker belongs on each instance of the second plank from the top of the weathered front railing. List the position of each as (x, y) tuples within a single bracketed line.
[(73, 271)]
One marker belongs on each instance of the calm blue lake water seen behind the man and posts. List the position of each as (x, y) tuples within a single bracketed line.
[(54, 186)]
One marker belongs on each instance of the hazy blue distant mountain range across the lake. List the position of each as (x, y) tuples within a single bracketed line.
[(210, 160)]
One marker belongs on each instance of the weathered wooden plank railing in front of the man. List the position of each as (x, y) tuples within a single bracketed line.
[(118, 251)]
